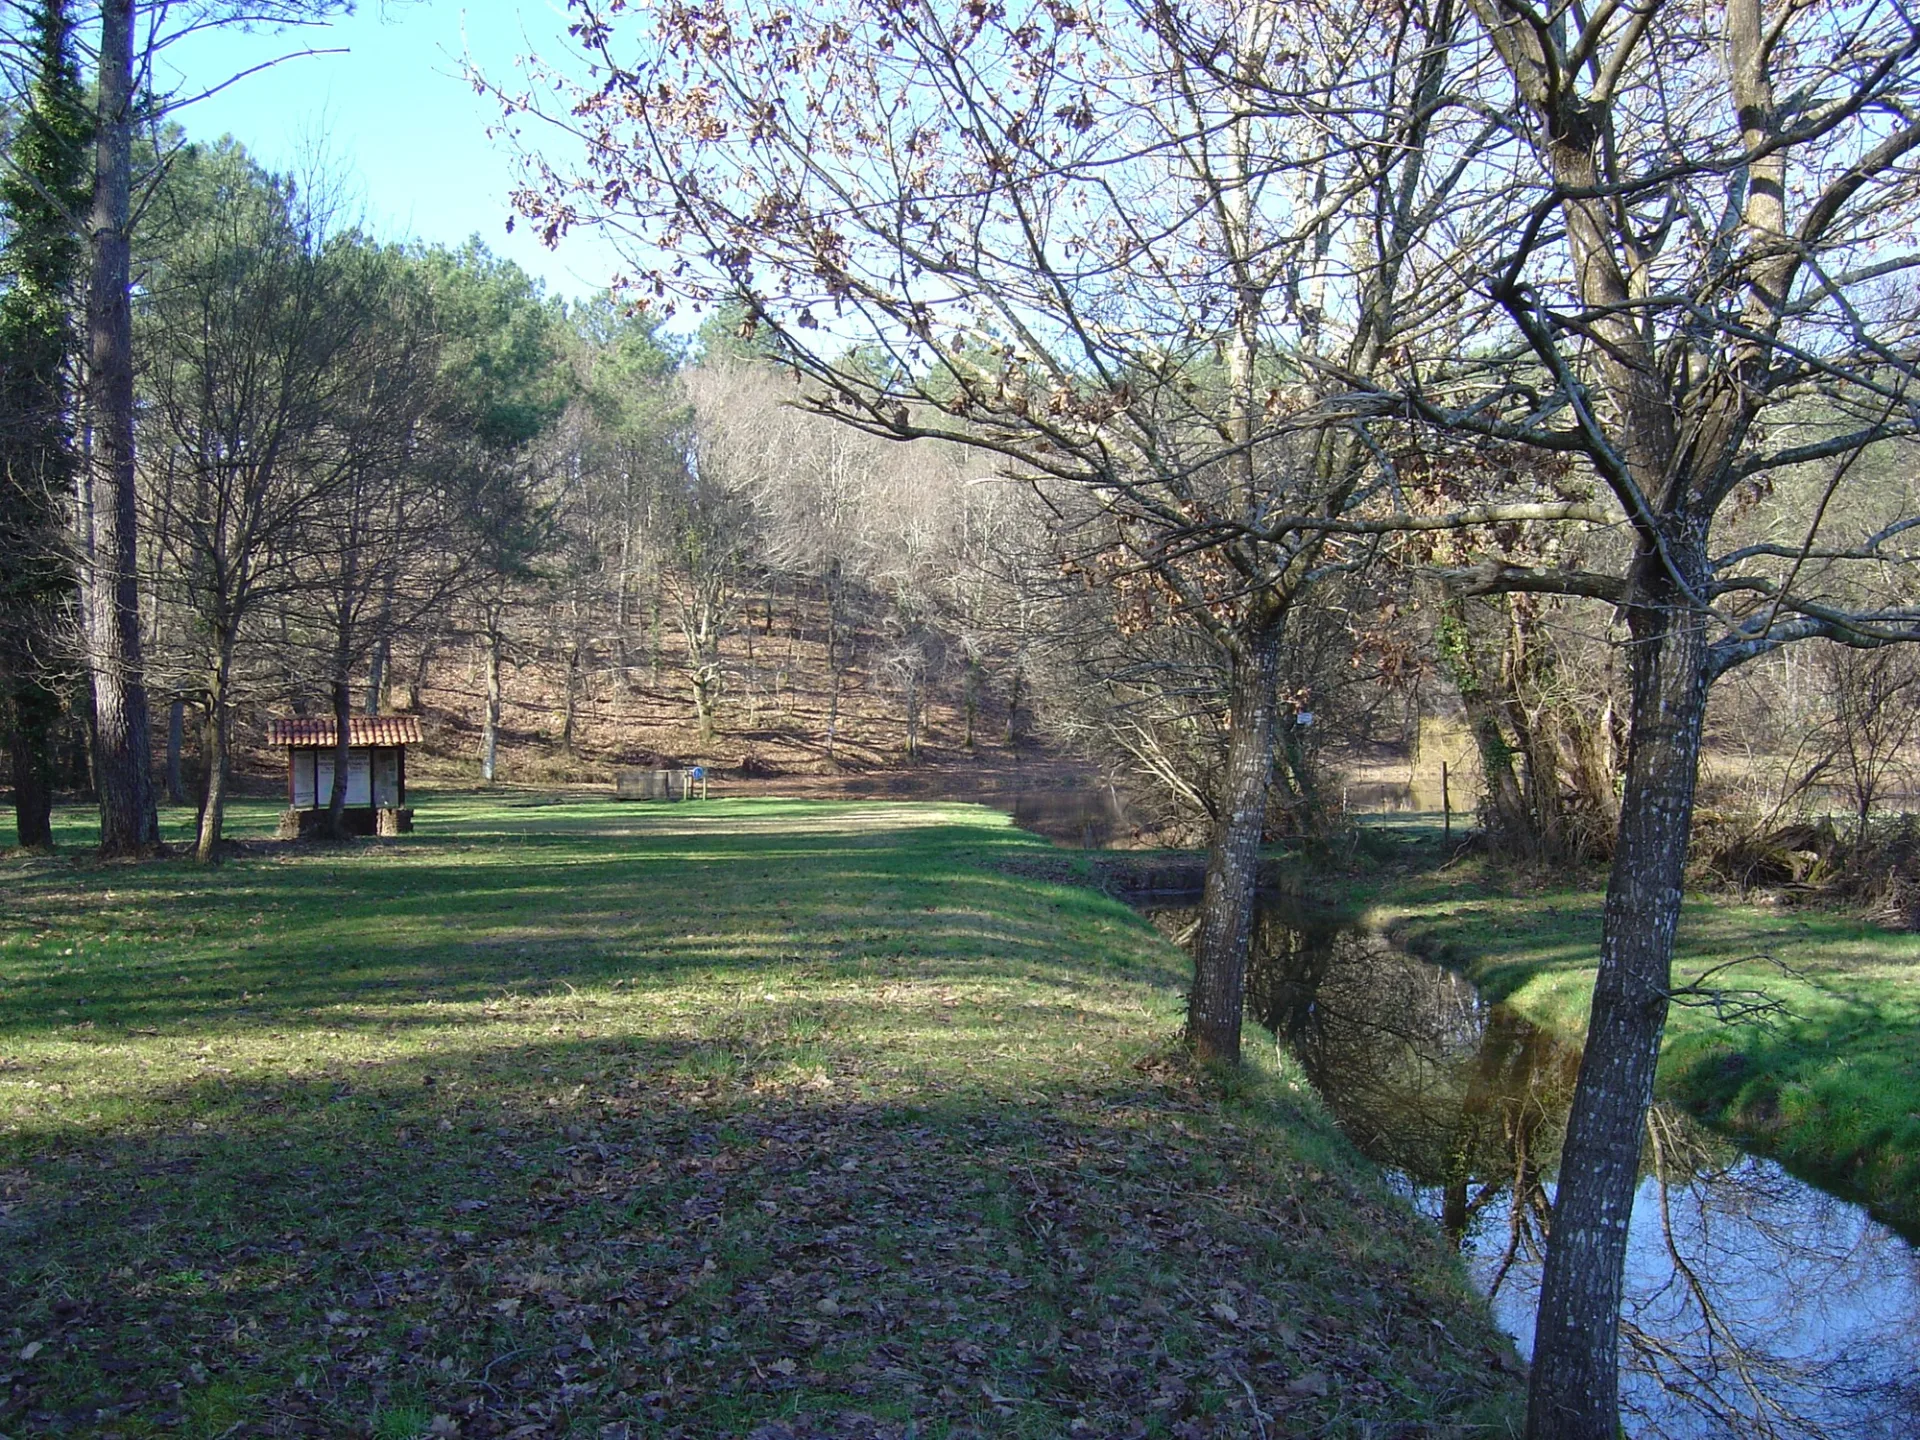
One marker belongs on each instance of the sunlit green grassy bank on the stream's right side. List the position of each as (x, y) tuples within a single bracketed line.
[(1831, 1084)]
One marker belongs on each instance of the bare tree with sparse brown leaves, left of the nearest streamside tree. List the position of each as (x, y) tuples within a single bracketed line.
[(1116, 254)]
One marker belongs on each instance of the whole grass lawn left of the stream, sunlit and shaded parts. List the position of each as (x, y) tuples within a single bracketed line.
[(744, 1118)]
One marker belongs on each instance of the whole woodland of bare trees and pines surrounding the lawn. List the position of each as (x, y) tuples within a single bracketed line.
[(1236, 406)]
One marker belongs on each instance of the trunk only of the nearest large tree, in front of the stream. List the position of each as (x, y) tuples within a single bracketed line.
[(1575, 1376)]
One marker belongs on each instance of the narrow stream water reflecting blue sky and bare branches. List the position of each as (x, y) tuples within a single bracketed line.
[(1758, 1305)]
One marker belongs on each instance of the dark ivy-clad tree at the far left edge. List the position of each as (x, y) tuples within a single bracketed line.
[(43, 193)]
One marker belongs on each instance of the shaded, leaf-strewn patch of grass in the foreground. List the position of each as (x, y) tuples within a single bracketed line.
[(671, 1237)]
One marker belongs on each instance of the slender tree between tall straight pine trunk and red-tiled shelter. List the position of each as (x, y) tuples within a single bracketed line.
[(249, 331)]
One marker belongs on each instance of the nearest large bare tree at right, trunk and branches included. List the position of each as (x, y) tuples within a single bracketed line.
[(1700, 289)]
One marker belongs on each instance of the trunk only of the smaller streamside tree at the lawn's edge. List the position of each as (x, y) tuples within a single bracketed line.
[(1234, 857)]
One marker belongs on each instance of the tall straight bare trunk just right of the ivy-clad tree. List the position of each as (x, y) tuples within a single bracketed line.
[(130, 821)]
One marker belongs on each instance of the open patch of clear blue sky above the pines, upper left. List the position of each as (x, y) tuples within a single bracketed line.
[(395, 116)]
